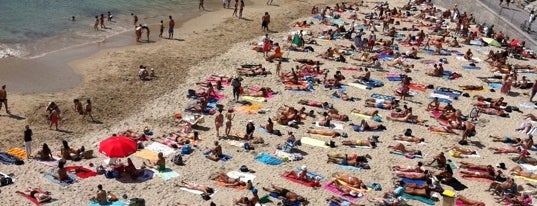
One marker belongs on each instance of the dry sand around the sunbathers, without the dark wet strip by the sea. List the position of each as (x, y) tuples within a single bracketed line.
[(216, 44)]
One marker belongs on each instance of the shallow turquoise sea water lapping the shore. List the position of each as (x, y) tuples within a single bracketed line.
[(31, 28)]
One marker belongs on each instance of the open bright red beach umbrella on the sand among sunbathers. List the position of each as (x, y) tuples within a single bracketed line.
[(118, 147)]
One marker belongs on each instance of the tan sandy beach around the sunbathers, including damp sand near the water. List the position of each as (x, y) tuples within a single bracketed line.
[(215, 43)]
